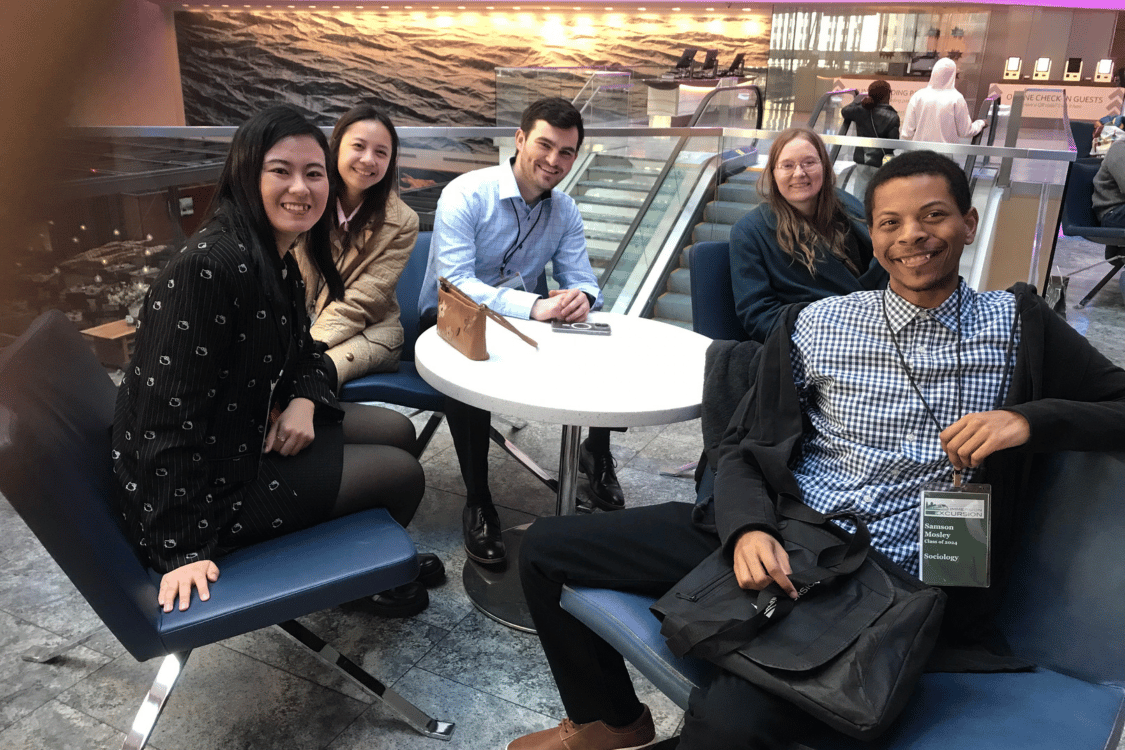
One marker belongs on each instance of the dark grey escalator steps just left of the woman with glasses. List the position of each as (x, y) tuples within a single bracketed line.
[(733, 201)]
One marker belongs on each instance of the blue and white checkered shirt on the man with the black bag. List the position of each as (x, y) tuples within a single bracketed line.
[(874, 445)]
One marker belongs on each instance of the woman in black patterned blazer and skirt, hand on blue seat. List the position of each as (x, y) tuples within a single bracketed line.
[(227, 431)]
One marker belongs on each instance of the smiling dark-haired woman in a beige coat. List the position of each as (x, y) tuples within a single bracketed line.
[(373, 237)]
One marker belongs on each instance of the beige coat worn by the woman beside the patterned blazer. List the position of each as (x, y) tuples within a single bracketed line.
[(363, 331)]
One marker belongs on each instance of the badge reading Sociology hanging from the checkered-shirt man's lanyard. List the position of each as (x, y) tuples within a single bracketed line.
[(955, 538)]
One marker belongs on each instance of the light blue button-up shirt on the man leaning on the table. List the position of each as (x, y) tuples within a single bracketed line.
[(482, 220)]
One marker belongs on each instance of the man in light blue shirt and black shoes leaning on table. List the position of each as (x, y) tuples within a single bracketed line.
[(494, 233)]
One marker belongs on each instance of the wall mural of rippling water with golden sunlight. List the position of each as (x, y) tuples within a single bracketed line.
[(426, 68)]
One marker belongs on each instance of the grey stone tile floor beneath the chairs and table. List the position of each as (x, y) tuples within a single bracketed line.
[(258, 692)]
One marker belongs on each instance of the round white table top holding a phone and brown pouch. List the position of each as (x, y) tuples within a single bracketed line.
[(645, 373)]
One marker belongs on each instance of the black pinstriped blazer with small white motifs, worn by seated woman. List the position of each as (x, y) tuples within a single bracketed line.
[(213, 354)]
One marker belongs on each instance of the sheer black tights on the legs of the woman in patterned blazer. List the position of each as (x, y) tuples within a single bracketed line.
[(380, 469)]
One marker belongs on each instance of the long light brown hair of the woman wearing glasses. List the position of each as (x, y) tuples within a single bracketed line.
[(798, 236)]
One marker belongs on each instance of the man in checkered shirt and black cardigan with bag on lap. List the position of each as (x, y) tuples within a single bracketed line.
[(832, 386)]
